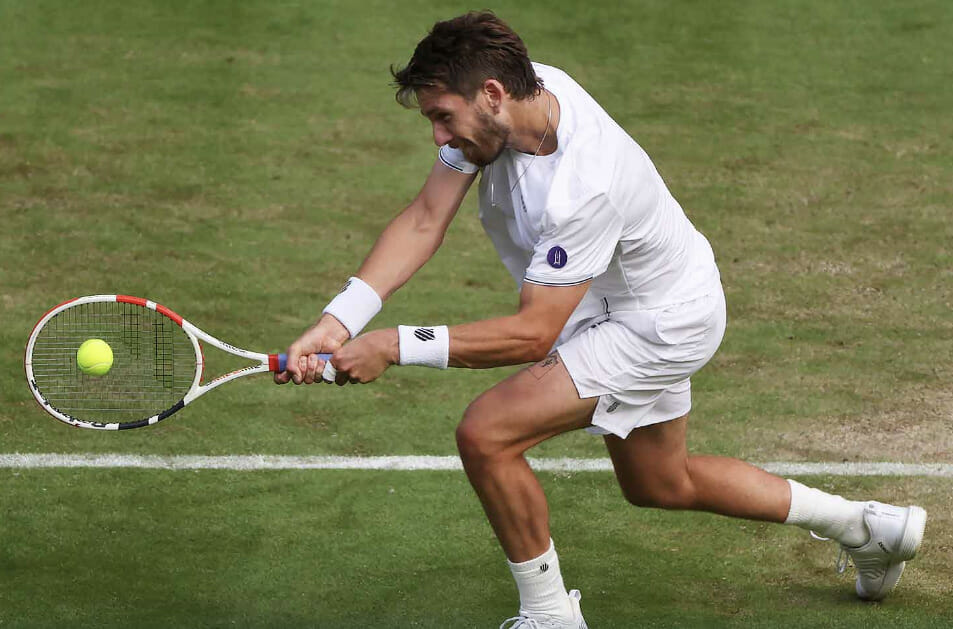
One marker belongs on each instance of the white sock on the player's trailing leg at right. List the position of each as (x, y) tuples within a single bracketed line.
[(827, 515)]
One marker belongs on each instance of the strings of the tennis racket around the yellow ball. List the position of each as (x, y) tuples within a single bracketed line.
[(154, 362)]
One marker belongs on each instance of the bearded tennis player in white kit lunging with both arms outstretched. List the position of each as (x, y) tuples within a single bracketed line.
[(620, 303)]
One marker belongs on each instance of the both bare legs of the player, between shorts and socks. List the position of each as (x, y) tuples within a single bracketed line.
[(652, 464)]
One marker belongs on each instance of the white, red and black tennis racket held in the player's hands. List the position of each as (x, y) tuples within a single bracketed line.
[(157, 370)]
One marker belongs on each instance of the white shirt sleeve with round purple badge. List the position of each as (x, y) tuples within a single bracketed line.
[(577, 244)]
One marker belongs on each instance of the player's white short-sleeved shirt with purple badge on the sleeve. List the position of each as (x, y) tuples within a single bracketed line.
[(595, 209)]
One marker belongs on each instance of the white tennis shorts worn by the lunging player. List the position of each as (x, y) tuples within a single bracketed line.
[(639, 363)]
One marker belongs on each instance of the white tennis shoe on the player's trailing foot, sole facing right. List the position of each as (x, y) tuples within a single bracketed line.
[(895, 536)]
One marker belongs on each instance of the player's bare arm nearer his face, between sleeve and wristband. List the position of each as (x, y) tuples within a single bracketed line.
[(415, 234)]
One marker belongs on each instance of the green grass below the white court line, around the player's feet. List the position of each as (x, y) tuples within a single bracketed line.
[(289, 549)]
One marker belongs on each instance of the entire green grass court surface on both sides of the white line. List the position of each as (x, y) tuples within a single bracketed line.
[(235, 161)]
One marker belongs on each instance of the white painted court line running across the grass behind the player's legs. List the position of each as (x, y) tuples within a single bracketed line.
[(413, 463)]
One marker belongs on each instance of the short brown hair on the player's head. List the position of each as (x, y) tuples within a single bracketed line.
[(459, 54)]
